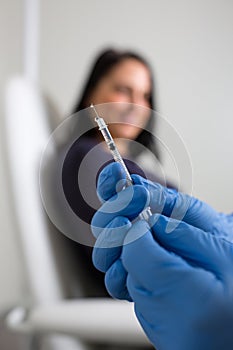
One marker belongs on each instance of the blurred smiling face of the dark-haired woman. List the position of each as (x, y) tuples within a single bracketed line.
[(128, 82)]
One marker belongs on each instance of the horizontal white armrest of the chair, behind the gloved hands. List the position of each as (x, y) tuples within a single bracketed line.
[(94, 320)]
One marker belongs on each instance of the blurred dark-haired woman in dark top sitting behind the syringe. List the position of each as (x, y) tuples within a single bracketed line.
[(120, 85)]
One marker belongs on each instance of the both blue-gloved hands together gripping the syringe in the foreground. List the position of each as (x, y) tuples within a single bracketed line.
[(181, 282)]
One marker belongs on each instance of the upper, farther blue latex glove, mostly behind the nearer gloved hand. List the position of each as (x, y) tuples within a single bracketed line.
[(166, 201)]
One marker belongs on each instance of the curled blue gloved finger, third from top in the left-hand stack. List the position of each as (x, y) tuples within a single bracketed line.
[(108, 245)]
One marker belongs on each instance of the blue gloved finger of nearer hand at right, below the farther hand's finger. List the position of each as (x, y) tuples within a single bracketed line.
[(192, 244)]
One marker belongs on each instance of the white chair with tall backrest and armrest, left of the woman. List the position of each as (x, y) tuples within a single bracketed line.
[(45, 311)]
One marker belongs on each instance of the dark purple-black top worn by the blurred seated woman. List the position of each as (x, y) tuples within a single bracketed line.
[(80, 170)]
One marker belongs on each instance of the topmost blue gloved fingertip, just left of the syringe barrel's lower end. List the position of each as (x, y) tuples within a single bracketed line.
[(111, 180)]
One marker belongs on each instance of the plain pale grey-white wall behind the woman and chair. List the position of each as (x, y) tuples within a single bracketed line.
[(190, 46)]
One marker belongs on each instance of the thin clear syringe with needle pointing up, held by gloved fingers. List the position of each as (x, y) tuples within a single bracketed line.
[(146, 213)]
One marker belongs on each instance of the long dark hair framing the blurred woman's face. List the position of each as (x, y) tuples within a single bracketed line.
[(103, 64)]
